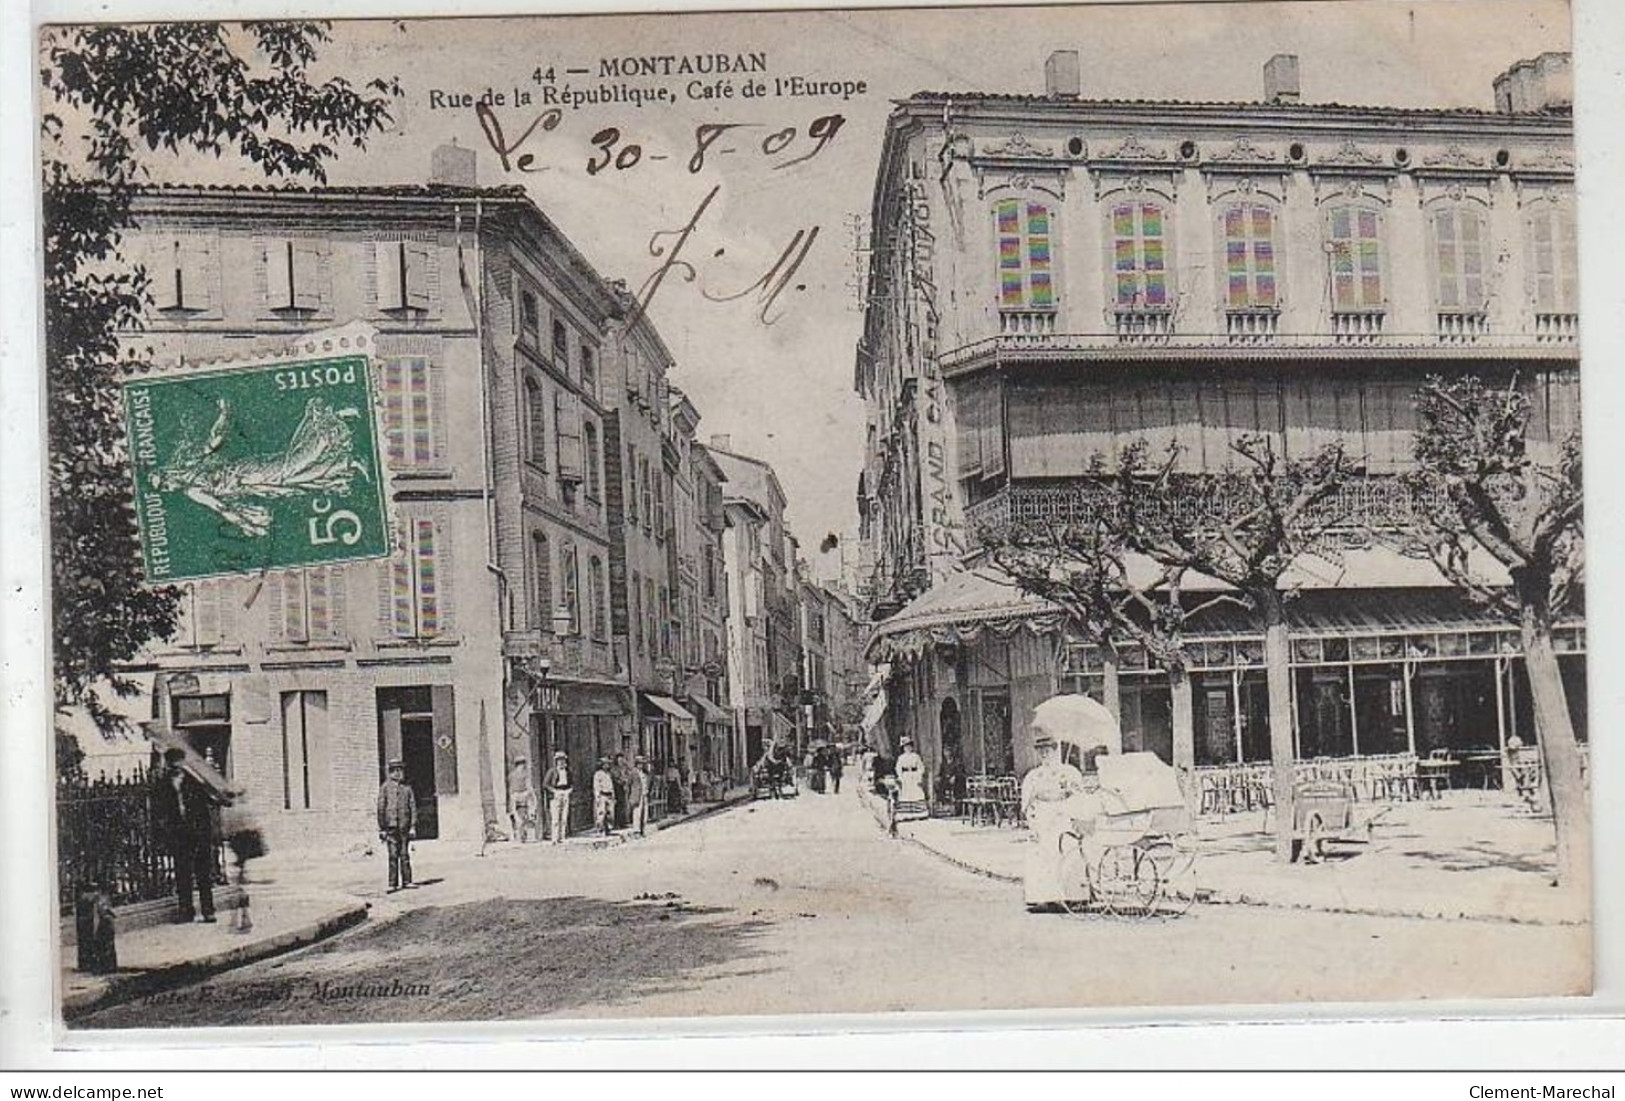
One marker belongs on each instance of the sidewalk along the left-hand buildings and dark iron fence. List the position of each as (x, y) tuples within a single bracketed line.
[(298, 900)]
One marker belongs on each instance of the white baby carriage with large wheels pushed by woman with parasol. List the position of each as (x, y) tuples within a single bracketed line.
[(1135, 855)]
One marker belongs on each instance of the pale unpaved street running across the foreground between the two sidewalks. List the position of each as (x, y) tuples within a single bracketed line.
[(800, 907)]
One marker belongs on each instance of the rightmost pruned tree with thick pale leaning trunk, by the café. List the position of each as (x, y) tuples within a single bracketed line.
[(1478, 486)]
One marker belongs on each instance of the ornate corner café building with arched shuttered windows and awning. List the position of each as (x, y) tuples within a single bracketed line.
[(1055, 278)]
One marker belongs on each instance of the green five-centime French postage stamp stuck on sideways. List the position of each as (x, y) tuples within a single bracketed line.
[(256, 468)]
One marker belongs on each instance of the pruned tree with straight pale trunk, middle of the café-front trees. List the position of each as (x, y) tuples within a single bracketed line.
[(1242, 527)]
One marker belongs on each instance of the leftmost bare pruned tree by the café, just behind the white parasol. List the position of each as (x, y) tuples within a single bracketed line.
[(1083, 569)]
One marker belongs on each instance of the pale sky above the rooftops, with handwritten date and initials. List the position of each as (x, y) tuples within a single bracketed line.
[(784, 392)]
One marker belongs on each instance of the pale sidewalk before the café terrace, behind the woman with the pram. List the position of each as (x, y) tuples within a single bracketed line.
[(1467, 857)]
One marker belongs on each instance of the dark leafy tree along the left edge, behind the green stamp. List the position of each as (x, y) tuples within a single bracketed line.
[(118, 98)]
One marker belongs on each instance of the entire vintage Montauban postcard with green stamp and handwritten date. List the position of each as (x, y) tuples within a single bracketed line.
[(815, 512)]
